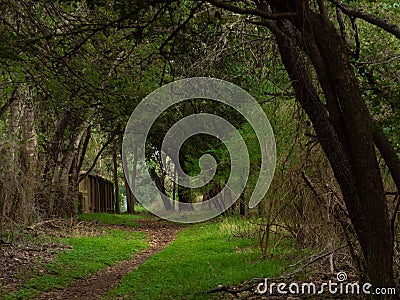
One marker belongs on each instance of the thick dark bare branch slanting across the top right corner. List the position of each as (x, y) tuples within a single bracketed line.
[(360, 14)]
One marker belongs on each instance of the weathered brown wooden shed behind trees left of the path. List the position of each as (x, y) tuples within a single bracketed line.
[(96, 194)]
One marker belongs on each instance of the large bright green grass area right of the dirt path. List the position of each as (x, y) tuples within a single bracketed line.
[(202, 257)]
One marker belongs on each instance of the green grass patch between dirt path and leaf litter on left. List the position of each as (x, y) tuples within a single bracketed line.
[(89, 254)]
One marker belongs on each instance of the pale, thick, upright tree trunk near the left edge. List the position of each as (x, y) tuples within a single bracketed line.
[(21, 182)]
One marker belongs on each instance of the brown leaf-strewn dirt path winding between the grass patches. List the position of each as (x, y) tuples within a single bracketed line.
[(160, 234)]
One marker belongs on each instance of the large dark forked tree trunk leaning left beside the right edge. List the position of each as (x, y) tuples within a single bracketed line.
[(344, 126)]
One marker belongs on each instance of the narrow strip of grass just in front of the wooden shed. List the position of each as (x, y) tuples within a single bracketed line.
[(112, 219)]
